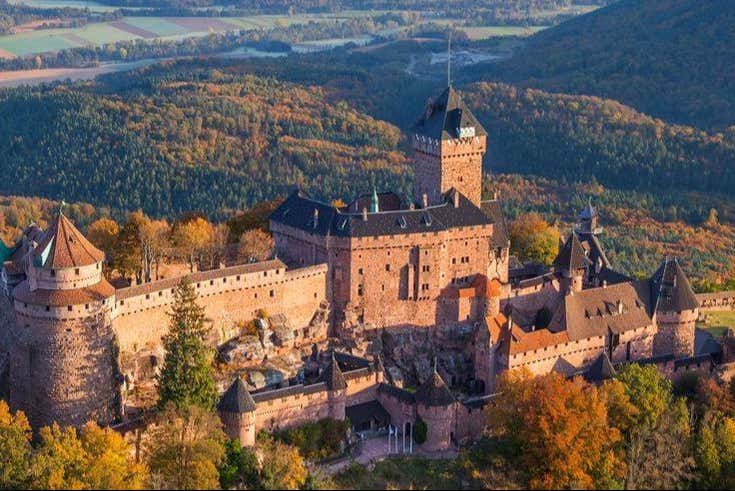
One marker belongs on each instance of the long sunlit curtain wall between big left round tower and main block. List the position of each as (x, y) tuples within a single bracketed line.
[(228, 295)]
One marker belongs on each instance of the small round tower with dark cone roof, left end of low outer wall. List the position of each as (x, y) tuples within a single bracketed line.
[(236, 409)]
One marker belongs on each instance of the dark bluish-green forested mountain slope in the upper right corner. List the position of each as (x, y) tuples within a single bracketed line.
[(672, 59)]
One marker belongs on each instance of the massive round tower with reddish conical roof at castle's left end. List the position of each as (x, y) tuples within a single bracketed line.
[(63, 362)]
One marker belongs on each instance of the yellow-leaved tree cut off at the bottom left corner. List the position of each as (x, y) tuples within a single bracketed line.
[(15, 450)]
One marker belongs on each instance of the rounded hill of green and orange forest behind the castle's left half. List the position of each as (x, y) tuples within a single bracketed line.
[(170, 139)]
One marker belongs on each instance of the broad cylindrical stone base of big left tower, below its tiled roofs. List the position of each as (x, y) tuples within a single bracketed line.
[(55, 363)]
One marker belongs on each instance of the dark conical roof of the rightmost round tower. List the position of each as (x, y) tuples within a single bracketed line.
[(670, 288)]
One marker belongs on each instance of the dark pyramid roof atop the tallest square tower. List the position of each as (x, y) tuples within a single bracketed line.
[(444, 116)]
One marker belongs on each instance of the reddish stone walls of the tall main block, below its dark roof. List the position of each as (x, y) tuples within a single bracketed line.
[(399, 279)]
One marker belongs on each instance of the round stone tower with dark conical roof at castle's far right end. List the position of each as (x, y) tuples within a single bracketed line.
[(676, 309)]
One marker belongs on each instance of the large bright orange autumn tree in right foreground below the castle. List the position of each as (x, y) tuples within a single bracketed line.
[(559, 430)]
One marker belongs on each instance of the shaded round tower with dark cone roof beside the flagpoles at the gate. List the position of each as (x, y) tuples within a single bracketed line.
[(436, 405)]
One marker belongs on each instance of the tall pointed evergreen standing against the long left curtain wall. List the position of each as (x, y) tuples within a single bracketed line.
[(186, 378)]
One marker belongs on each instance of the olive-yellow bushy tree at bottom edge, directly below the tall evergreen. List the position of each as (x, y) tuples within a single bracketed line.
[(184, 449)]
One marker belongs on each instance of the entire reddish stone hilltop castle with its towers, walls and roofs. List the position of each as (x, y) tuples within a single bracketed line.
[(438, 263)]
